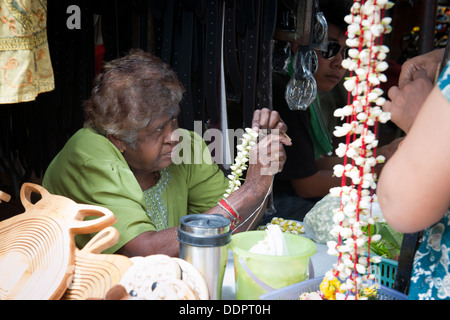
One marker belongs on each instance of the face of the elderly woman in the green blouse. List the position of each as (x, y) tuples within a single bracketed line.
[(154, 144)]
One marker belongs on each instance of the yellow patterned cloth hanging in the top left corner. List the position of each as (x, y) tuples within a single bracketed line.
[(25, 65)]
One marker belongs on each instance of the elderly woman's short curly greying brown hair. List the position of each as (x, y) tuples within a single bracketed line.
[(128, 93)]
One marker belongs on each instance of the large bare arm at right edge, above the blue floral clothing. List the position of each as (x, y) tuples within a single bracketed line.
[(414, 186)]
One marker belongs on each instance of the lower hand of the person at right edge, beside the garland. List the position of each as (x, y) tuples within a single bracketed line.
[(407, 99)]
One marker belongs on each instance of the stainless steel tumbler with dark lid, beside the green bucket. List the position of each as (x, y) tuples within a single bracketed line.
[(204, 240)]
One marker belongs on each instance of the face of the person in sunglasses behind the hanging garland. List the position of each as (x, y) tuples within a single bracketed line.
[(330, 71)]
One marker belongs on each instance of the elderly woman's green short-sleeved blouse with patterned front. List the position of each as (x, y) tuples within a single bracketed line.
[(91, 170)]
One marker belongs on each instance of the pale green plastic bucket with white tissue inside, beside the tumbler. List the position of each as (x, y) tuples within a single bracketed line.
[(257, 274)]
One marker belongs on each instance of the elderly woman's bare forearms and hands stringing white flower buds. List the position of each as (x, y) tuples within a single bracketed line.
[(268, 154)]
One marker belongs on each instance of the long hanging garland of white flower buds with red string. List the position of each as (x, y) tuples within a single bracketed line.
[(367, 53)]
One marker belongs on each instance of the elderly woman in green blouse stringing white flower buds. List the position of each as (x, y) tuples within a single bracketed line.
[(122, 159)]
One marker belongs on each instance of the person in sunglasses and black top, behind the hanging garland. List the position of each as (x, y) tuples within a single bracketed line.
[(307, 175)]
